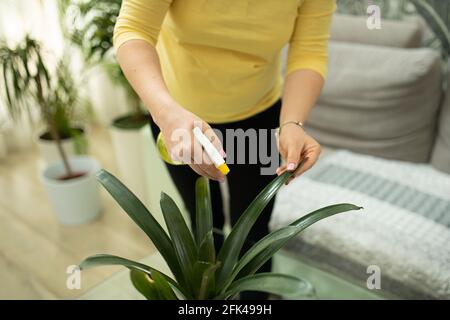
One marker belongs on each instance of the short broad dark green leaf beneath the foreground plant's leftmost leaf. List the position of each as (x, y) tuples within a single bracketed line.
[(154, 287)]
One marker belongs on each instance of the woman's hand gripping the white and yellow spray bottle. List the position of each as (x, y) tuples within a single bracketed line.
[(176, 126)]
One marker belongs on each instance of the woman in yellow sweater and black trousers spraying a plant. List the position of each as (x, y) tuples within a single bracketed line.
[(201, 62)]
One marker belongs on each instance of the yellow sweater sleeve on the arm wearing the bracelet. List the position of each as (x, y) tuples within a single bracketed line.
[(308, 47)]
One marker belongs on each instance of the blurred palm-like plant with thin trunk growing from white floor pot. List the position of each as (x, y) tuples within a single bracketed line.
[(26, 83)]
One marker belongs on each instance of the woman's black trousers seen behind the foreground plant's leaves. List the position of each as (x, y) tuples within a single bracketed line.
[(245, 180)]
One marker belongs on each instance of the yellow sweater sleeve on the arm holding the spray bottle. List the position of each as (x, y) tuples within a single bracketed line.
[(140, 20)]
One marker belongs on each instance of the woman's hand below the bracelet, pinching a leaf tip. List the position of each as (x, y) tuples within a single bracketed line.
[(294, 146)]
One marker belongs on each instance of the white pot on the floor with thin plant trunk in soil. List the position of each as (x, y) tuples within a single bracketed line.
[(75, 201)]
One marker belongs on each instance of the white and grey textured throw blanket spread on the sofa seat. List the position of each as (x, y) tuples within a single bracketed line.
[(404, 228)]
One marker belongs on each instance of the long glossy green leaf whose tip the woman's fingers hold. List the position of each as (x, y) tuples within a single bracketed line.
[(229, 253)]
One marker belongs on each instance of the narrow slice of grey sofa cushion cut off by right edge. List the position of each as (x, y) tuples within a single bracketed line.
[(440, 157)]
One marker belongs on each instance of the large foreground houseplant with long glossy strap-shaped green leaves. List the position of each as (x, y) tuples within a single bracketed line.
[(200, 273)]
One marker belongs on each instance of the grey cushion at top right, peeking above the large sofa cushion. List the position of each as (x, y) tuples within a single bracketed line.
[(403, 34)]
